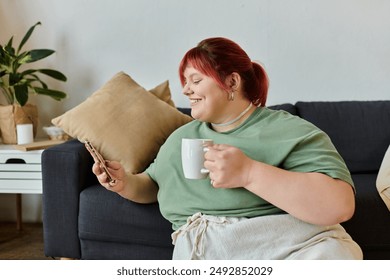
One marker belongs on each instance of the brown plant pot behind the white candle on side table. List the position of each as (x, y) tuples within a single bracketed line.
[(11, 115)]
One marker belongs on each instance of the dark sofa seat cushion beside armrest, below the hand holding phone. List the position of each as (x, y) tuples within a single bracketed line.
[(142, 224)]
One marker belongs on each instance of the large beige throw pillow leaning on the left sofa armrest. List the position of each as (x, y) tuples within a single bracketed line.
[(124, 121)]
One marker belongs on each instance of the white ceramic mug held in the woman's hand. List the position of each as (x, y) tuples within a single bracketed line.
[(192, 157)]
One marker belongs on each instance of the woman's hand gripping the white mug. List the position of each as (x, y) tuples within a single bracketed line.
[(228, 166)]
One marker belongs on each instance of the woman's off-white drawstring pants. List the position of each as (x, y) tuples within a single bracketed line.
[(272, 237)]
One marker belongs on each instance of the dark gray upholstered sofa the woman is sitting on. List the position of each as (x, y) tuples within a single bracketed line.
[(84, 221)]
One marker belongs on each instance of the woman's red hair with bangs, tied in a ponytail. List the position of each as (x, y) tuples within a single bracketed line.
[(218, 58)]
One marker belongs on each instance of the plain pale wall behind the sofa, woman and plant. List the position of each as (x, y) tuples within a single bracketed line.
[(312, 50)]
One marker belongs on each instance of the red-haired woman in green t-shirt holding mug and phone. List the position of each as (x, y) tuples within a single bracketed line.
[(277, 188)]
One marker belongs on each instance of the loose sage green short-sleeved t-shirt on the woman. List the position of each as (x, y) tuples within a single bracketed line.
[(273, 137)]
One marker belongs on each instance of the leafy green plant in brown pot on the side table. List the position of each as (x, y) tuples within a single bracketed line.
[(18, 81)]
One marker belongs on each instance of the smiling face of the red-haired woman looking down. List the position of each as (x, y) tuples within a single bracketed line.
[(208, 100)]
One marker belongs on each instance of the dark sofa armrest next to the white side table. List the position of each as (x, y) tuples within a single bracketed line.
[(66, 171)]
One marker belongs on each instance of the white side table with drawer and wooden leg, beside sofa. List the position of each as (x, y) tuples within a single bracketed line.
[(20, 172)]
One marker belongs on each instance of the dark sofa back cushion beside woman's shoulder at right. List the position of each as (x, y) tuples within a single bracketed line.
[(360, 130)]
